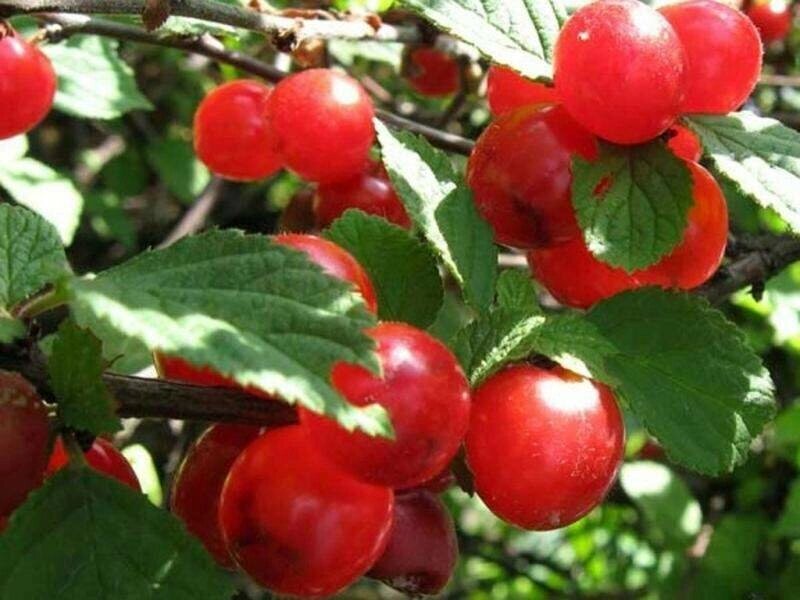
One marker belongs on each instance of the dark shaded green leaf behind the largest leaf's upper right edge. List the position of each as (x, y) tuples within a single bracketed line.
[(392, 258)]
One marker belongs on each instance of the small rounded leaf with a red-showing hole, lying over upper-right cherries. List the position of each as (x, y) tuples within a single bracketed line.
[(632, 203)]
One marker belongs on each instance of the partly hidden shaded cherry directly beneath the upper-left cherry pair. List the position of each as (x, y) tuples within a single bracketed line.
[(370, 191)]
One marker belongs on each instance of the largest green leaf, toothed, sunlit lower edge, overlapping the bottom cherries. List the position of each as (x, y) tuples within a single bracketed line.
[(251, 309)]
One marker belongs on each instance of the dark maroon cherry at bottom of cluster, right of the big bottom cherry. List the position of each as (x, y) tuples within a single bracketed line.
[(423, 550)]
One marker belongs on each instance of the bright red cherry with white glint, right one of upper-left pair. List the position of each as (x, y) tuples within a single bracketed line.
[(322, 124)]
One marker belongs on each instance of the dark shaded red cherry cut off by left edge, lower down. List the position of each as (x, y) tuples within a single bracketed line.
[(24, 433)]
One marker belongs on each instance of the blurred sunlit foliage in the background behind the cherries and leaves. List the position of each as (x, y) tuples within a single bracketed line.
[(123, 180)]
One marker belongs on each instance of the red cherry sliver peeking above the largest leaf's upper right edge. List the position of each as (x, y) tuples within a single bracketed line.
[(335, 261)]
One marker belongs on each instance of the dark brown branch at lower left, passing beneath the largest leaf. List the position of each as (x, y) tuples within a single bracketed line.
[(160, 399)]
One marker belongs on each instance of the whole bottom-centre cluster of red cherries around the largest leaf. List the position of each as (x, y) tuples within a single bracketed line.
[(308, 509)]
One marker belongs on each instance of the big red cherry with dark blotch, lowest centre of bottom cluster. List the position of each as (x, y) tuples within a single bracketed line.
[(297, 524)]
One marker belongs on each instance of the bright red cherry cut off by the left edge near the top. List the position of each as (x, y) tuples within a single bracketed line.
[(27, 84)]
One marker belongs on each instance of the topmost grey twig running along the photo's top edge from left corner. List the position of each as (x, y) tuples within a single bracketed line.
[(288, 31)]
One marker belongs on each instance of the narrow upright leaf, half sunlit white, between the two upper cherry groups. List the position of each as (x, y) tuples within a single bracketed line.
[(440, 204)]
